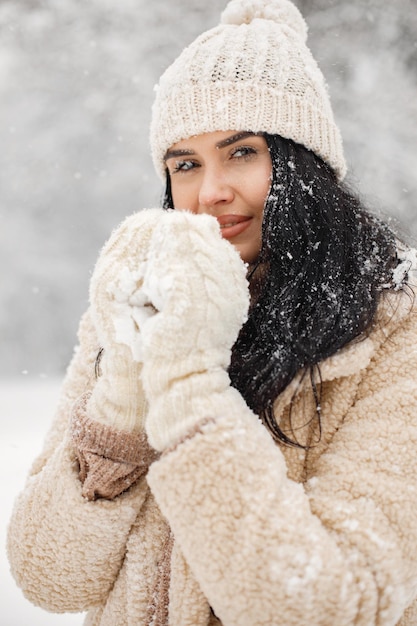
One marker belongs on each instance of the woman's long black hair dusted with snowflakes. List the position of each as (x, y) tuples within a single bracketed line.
[(318, 278)]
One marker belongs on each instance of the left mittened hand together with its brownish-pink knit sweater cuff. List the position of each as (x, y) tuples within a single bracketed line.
[(107, 425)]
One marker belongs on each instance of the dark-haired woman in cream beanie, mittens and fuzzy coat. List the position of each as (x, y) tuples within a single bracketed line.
[(235, 441)]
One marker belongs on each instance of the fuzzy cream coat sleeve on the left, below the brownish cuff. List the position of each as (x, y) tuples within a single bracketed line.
[(64, 551)]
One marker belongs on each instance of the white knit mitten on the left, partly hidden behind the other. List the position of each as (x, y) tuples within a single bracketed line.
[(118, 399)]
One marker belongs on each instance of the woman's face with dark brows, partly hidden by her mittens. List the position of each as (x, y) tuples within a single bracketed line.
[(226, 174)]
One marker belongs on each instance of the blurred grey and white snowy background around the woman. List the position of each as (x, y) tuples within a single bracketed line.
[(76, 87)]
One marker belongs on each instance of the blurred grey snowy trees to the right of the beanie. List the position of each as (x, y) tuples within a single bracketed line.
[(368, 51)]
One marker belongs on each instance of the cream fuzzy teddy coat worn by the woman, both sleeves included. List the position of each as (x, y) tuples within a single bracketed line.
[(231, 528)]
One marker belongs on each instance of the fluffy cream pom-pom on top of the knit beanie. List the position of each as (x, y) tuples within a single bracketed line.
[(280, 11)]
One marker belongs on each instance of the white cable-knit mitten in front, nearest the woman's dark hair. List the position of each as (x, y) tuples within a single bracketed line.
[(195, 285)]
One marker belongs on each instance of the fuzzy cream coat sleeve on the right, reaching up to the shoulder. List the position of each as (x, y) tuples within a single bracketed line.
[(338, 550)]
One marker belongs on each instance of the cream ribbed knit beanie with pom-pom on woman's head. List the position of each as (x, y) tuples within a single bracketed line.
[(253, 72)]
